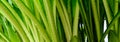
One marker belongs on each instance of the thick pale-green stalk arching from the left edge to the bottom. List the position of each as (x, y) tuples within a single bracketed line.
[(13, 21)]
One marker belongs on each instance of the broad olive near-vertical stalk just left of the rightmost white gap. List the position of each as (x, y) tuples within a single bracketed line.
[(96, 19)]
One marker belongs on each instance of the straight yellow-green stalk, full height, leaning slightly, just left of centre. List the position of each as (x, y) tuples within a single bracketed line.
[(51, 21)]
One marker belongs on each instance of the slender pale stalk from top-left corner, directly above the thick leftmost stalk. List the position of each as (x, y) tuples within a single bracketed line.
[(19, 20)]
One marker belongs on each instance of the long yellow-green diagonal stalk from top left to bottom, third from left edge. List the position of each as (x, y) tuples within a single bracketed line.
[(39, 26)]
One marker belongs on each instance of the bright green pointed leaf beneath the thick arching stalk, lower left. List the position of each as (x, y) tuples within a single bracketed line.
[(11, 34)]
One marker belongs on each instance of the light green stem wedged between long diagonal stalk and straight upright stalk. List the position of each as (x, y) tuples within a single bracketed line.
[(39, 6)]
